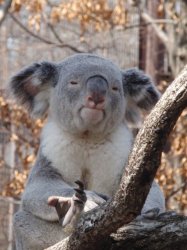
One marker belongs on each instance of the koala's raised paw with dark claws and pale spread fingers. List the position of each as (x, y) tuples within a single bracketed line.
[(69, 209)]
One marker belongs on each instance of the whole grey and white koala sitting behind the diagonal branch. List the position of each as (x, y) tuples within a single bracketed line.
[(89, 101)]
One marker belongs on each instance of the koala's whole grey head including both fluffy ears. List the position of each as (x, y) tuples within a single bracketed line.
[(84, 93)]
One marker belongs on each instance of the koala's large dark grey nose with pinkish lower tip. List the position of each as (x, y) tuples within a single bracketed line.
[(96, 91)]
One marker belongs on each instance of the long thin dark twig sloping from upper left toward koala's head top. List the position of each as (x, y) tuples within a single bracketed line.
[(45, 40)]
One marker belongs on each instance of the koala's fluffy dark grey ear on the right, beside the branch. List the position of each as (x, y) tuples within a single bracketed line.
[(140, 92)]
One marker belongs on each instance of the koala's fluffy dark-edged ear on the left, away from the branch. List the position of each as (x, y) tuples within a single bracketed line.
[(31, 86)]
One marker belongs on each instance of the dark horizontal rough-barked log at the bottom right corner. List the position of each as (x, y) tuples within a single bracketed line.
[(166, 232)]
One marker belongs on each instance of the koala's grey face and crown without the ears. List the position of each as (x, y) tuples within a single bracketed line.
[(88, 96)]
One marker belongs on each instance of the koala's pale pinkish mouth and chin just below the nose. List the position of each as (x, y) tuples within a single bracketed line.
[(92, 115)]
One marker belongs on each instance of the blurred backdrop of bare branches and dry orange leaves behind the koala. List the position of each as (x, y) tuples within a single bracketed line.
[(151, 35)]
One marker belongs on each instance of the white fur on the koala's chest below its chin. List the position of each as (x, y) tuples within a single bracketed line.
[(98, 163)]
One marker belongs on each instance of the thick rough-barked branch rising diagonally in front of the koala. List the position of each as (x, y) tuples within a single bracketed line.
[(94, 228)]
